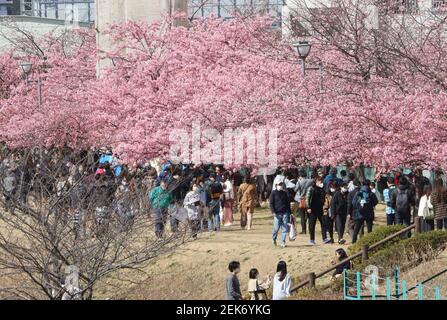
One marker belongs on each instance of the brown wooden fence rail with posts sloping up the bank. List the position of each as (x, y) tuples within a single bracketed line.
[(312, 277)]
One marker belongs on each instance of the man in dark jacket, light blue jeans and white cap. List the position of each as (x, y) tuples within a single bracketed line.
[(280, 206)]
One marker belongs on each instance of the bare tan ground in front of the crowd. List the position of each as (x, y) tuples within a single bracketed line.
[(198, 269)]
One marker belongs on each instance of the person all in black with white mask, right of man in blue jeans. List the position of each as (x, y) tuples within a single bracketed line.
[(314, 203)]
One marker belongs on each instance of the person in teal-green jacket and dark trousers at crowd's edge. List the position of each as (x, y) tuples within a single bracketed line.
[(160, 198)]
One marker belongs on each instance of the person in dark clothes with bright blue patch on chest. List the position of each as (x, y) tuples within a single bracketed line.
[(363, 204)]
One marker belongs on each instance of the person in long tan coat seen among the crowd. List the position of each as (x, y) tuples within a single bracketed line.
[(247, 198)]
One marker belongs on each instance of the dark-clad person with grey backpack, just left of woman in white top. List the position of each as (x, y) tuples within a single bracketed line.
[(402, 201)]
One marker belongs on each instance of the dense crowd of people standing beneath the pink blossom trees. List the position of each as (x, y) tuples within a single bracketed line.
[(206, 197)]
